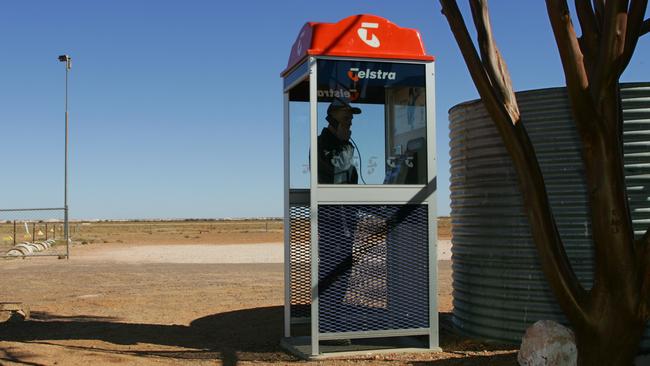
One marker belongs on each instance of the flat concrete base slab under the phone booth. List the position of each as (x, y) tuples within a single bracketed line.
[(301, 347)]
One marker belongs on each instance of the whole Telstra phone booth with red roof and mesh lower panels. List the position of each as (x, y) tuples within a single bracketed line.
[(360, 182)]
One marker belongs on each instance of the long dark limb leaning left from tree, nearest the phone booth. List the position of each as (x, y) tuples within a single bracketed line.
[(555, 263)]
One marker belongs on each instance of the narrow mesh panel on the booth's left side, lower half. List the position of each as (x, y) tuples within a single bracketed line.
[(300, 267)]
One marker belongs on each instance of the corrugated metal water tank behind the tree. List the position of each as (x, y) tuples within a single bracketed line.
[(499, 289)]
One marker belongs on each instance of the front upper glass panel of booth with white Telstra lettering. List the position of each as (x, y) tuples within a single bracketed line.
[(371, 123)]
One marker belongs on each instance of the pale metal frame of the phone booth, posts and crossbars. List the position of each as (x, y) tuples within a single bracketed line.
[(360, 194)]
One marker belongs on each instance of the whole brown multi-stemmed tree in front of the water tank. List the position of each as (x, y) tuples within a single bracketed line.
[(609, 319)]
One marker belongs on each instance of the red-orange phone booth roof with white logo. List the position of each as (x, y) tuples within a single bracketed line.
[(361, 36)]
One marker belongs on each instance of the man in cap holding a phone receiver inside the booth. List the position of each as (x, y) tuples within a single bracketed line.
[(335, 152)]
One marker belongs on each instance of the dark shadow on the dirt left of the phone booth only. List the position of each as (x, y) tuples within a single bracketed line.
[(251, 334)]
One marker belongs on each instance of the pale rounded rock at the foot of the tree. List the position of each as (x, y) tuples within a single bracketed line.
[(548, 343)]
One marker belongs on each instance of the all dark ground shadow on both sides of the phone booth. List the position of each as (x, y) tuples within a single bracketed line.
[(243, 335)]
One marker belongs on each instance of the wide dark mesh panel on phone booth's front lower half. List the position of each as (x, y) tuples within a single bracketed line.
[(373, 269)]
